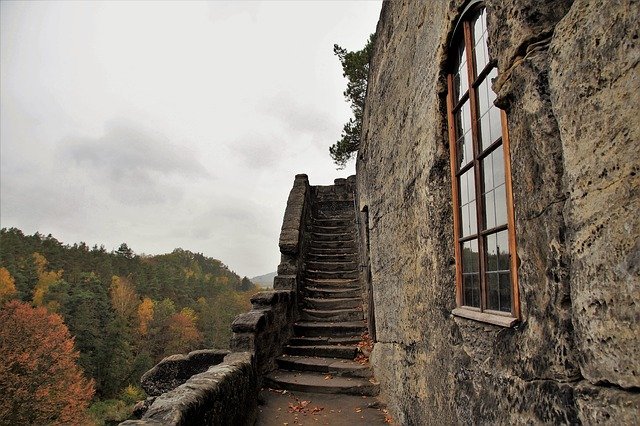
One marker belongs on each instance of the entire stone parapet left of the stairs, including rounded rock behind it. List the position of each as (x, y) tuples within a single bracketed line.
[(200, 389)]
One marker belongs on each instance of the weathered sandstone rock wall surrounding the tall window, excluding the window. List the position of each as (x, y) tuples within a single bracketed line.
[(568, 81)]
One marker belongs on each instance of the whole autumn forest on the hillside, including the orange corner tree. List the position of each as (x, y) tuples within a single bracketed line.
[(79, 325)]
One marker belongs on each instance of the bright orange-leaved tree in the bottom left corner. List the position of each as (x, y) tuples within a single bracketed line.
[(40, 381)]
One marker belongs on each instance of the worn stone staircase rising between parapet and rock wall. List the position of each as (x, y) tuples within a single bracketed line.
[(320, 357)]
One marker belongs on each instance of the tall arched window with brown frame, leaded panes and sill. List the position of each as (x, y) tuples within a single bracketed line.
[(486, 279)]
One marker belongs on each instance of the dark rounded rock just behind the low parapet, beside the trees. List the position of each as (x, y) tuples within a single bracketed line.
[(174, 370)]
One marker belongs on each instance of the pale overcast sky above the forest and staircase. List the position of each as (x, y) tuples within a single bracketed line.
[(168, 125)]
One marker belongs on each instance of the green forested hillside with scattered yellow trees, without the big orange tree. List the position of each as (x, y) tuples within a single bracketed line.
[(125, 311)]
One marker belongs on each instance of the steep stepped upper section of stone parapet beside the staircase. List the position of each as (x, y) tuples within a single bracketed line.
[(268, 326)]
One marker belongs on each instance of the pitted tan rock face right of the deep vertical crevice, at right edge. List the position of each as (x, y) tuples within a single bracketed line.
[(595, 84)]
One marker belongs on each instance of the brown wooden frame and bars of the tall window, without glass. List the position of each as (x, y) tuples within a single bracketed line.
[(463, 36)]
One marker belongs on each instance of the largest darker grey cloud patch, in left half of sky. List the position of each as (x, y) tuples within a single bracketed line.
[(138, 167)]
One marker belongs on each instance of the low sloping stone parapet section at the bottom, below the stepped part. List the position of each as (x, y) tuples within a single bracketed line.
[(226, 394)]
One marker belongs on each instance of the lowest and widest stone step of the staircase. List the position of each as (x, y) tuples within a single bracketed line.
[(321, 383)]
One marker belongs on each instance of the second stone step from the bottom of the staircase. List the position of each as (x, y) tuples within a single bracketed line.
[(334, 367)]
